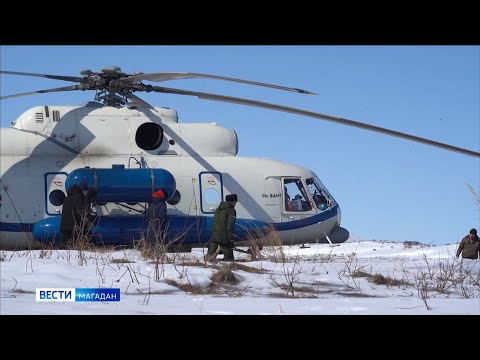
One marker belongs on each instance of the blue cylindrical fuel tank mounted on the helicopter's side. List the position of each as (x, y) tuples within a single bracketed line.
[(124, 185)]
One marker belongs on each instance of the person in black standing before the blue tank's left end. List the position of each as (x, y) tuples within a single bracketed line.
[(76, 217)]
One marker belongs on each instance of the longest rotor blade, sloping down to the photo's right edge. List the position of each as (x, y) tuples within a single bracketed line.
[(316, 115)]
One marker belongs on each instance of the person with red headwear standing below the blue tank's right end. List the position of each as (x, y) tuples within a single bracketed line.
[(156, 216)]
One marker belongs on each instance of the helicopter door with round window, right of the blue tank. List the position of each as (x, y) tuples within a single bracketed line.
[(211, 191)]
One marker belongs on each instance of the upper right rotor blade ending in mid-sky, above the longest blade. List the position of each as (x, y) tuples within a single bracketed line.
[(165, 76)]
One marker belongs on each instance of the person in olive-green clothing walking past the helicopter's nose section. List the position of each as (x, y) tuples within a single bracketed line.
[(222, 229)]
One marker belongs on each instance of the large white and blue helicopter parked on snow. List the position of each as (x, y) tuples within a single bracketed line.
[(125, 148)]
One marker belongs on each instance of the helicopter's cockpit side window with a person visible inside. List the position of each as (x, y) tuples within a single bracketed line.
[(296, 203)]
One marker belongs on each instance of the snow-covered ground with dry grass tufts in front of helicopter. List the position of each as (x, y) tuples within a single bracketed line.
[(360, 277)]
